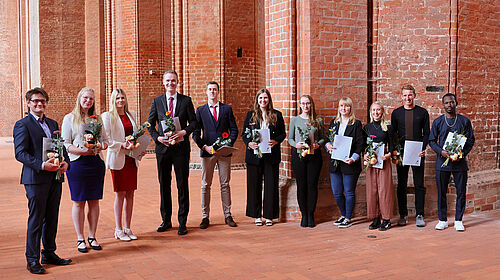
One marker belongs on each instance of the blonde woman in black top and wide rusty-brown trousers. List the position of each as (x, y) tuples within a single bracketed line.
[(379, 186)]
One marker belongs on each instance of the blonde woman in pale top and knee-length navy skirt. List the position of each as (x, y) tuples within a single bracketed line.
[(86, 175)]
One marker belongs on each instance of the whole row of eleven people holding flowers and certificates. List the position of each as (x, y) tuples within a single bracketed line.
[(212, 124)]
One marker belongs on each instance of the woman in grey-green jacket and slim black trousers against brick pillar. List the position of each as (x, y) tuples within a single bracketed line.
[(308, 167)]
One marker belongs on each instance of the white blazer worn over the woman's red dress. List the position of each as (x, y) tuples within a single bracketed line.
[(115, 157)]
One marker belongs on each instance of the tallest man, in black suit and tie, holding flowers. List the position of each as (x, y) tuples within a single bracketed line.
[(180, 106)]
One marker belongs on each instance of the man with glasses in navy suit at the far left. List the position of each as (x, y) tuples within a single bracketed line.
[(43, 190)]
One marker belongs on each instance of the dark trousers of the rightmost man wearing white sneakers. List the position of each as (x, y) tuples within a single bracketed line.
[(442, 181)]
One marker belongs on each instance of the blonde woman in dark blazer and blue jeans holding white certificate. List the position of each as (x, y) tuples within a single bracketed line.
[(344, 174)]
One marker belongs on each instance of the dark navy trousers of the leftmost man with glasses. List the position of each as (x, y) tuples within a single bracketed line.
[(43, 205)]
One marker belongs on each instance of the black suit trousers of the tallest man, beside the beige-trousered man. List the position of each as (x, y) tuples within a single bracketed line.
[(164, 163)]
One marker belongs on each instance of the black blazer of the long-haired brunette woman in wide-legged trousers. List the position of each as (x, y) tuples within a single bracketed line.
[(277, 133)]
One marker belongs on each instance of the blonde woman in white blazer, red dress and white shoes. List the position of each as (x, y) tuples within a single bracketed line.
[(118, 123)]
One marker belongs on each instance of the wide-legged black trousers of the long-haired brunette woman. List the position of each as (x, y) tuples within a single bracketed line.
[(270, 210)]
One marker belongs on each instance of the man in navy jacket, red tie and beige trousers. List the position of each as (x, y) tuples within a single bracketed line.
[(216, 120)]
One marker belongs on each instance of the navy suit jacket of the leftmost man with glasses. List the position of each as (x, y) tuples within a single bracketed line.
[(28, 141)]
